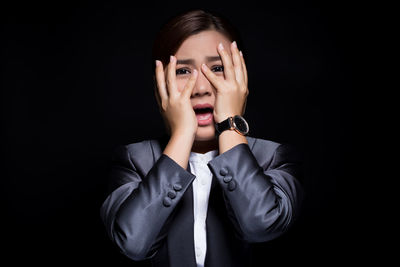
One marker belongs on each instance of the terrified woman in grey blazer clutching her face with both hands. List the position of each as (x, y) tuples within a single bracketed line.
[(203, 194)]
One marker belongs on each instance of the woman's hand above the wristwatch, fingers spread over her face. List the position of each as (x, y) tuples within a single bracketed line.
[(231, 91)]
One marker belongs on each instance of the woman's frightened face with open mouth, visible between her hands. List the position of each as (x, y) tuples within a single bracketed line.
[(194, 51)]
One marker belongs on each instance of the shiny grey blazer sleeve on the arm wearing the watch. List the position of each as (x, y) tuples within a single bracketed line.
[(262, 201)]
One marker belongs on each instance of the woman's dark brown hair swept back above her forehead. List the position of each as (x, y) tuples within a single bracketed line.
[(179, 28)]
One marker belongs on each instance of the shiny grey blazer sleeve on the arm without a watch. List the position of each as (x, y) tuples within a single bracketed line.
[(137, 212)]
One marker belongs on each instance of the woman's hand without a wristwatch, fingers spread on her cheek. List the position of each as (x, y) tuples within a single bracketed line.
[(175, 105)]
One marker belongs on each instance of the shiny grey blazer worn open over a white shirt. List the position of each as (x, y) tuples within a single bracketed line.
[(255, 196)]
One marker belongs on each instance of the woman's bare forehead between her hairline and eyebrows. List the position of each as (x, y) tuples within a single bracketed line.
[(202, 44)]
